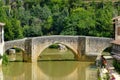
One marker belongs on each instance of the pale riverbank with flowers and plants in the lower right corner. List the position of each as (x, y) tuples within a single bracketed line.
[(108, 72)]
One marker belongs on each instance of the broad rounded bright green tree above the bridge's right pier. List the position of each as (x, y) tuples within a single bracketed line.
[(80, 21)]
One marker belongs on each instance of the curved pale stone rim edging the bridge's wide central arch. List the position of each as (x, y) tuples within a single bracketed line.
[(75, 53)]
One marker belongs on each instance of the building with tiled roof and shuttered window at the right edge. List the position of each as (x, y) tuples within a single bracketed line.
[(116, 43)]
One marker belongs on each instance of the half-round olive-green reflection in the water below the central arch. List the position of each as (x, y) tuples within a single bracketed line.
[(57, 69)]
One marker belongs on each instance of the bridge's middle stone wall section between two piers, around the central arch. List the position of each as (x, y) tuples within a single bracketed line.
[(41, 43)]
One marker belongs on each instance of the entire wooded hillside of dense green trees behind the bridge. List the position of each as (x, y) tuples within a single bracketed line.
[(28, 18)]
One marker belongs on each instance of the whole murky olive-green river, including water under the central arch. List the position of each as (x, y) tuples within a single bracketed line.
[(52, 65)]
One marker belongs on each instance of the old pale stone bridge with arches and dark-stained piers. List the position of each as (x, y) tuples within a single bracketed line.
[(80, 45)]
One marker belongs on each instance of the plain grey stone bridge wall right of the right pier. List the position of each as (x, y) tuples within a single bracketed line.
[(96, 45)]
